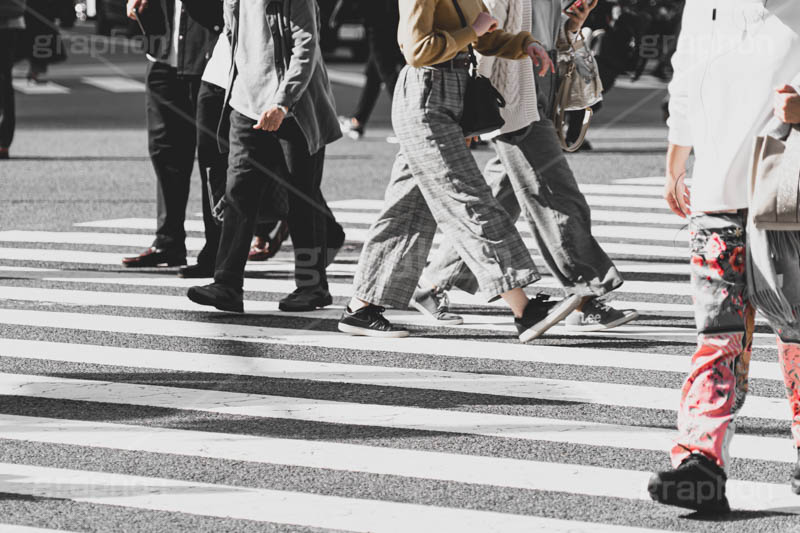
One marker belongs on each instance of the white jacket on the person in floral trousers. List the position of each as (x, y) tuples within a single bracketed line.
[(731, 56)]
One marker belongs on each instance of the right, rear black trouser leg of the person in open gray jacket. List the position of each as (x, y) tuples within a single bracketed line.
[(307, 218)]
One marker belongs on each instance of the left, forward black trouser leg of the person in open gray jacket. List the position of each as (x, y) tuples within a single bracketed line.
[(254, 162)]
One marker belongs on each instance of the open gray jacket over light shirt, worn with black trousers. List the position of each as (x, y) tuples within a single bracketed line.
[(278, 60)]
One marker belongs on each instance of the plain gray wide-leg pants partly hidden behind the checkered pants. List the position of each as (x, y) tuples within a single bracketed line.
[(531, 175)]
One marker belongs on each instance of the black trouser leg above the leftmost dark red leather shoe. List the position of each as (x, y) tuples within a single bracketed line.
[(172, 138)]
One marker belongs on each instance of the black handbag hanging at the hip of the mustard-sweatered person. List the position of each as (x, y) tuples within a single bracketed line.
[(482, 102)]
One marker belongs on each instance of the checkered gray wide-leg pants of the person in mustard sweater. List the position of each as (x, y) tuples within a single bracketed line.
[(436, 182)]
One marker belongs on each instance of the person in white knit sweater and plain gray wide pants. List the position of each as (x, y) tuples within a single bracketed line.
[(530, 174)]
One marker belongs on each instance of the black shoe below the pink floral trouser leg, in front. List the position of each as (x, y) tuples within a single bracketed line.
[(698, 483)]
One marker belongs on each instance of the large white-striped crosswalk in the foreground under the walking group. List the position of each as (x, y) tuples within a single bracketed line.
[(120, 398)]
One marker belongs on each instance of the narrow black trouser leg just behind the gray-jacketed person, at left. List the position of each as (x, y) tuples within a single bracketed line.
[(212, 157)]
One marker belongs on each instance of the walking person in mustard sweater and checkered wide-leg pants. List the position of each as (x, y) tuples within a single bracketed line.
[(435, 180)]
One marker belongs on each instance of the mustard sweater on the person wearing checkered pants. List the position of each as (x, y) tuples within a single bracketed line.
[(431, 32)]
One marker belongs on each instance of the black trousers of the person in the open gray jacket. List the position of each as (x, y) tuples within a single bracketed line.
[(284, 154)]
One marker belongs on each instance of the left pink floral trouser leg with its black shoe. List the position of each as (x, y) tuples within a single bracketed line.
[(717, 384)]
